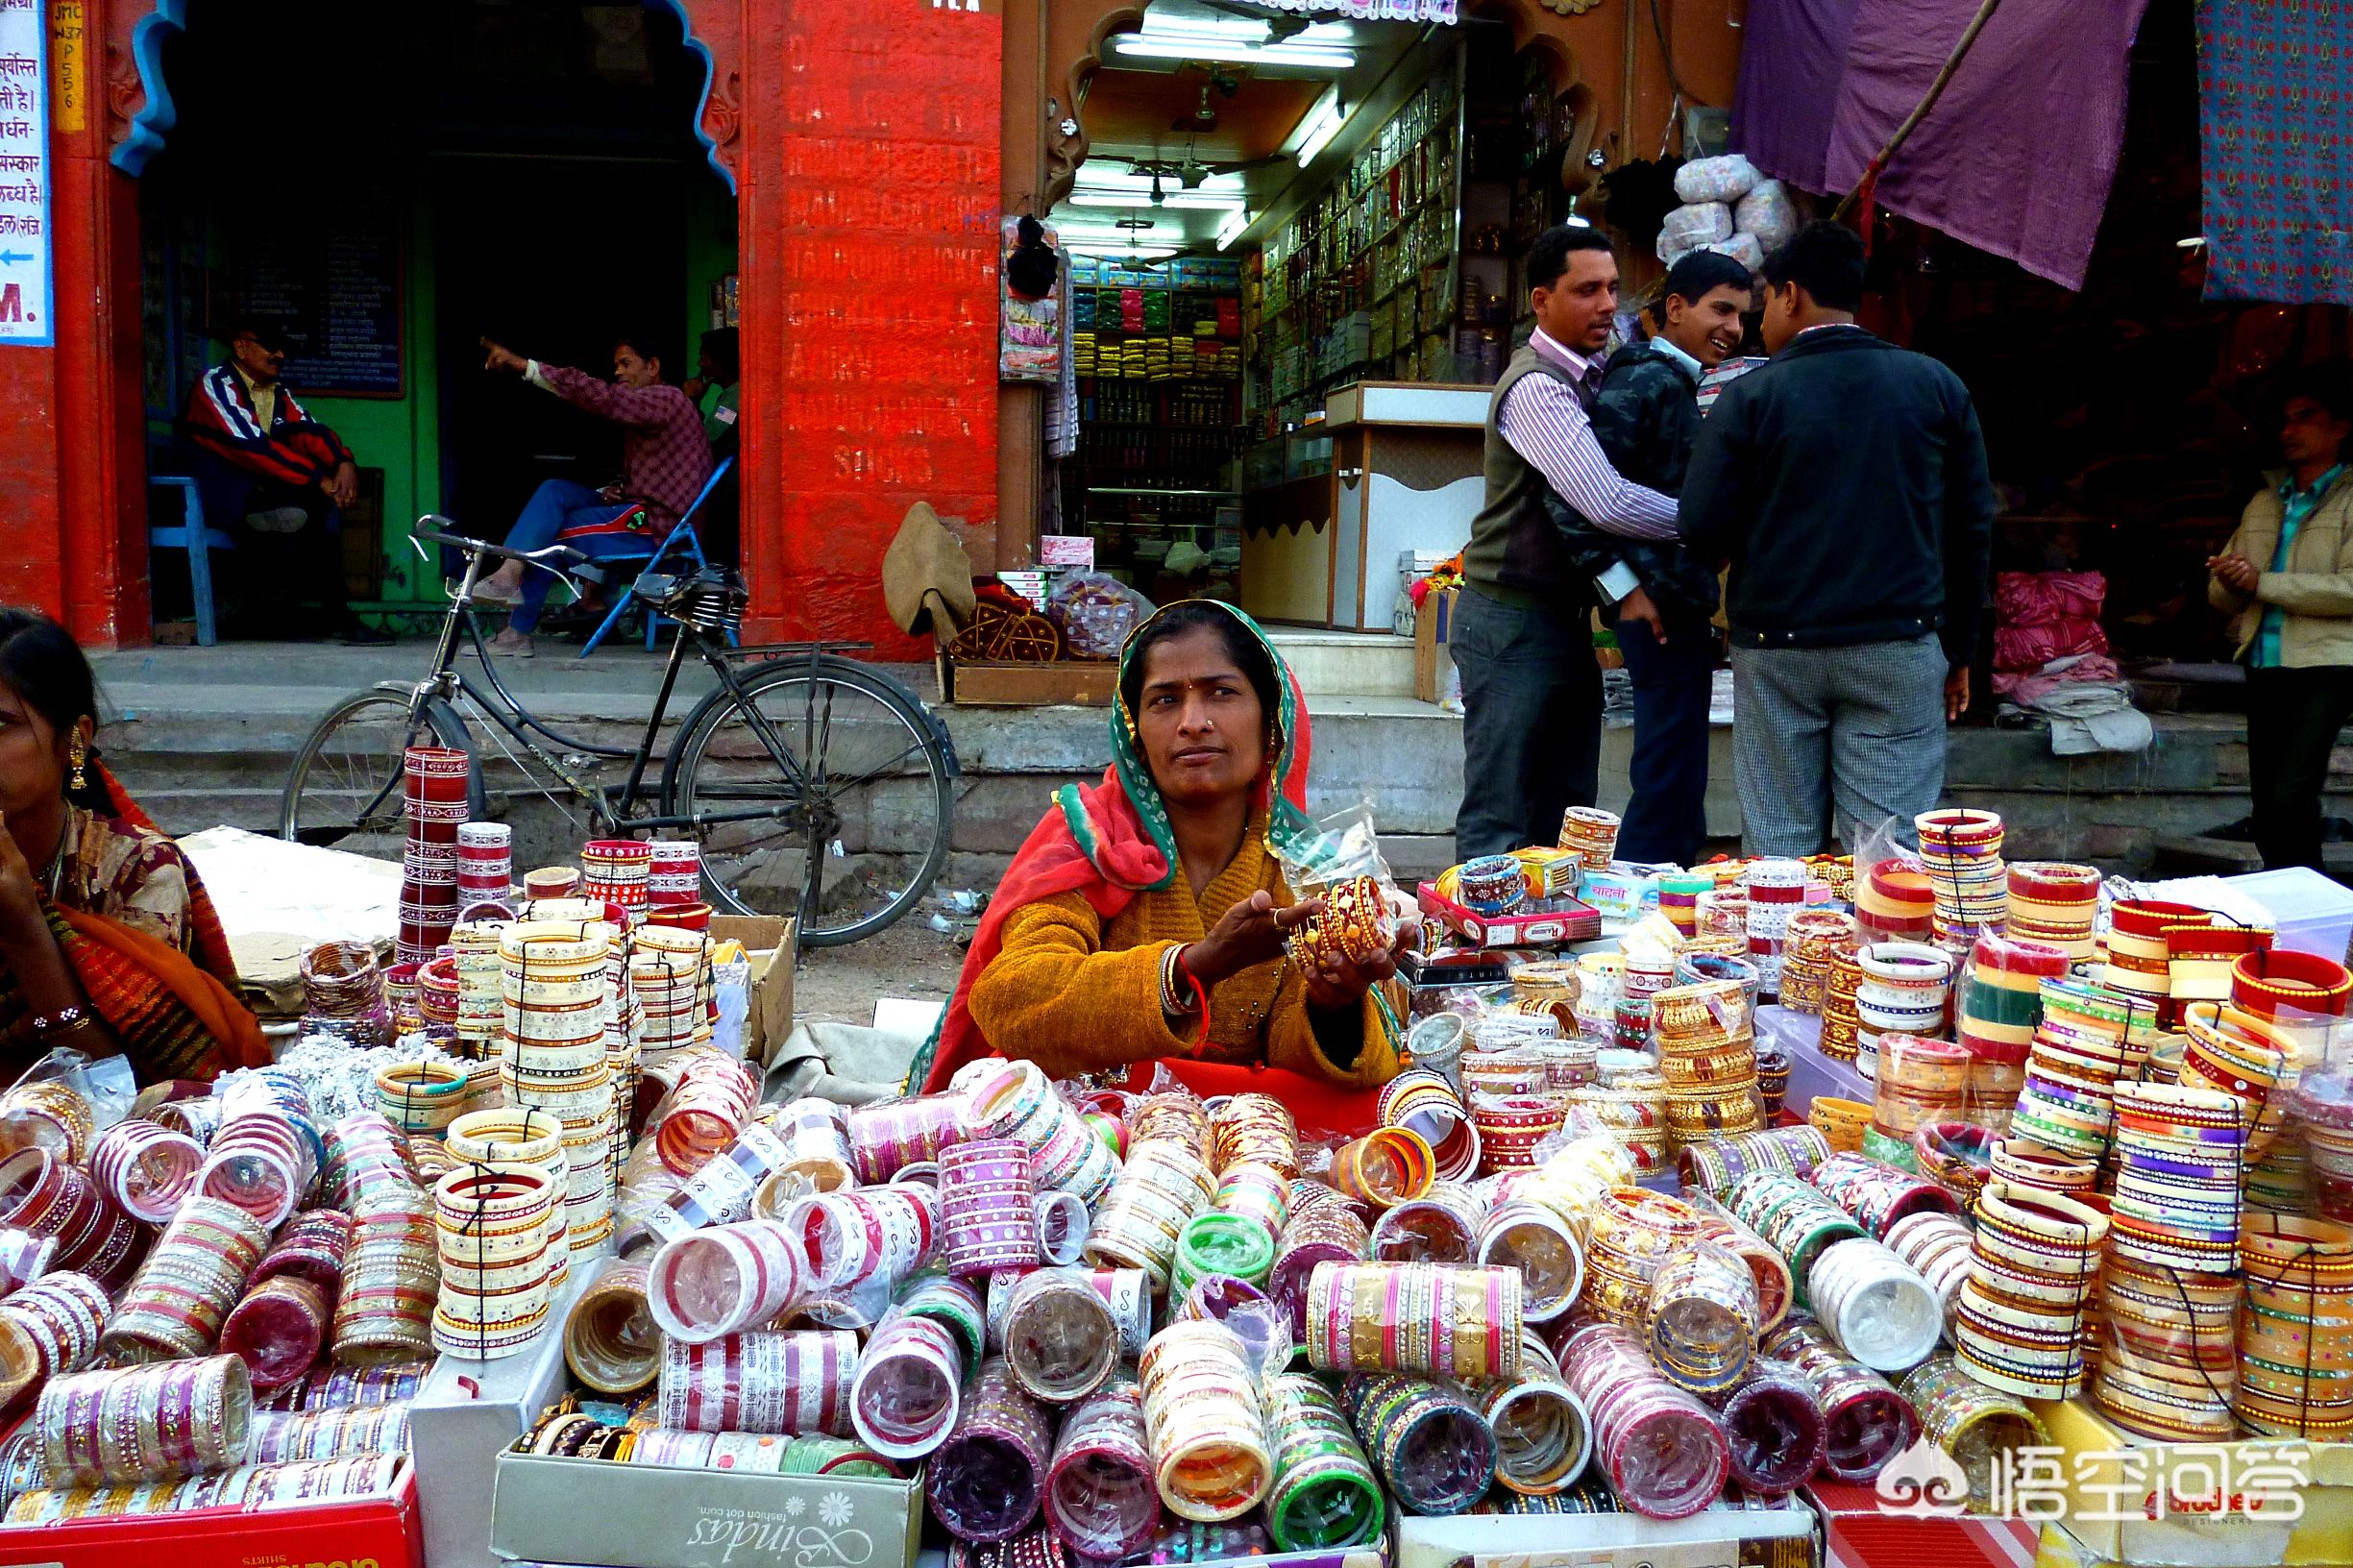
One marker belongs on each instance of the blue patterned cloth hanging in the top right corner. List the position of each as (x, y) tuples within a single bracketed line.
[(2277, 147)]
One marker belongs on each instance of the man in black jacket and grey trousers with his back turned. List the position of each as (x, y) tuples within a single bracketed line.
[(1848, 486)]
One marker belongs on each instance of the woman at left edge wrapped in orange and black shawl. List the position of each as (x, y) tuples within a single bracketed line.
[(107, 938)]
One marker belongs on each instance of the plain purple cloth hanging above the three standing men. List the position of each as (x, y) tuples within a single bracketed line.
[(2022, 147)]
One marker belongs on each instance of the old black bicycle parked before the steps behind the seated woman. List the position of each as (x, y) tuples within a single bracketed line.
[(865, 799)]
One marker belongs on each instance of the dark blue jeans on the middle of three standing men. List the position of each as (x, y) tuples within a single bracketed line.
[(1667, 806)]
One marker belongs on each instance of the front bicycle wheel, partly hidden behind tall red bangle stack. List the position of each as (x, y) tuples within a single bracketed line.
[(345, 788)]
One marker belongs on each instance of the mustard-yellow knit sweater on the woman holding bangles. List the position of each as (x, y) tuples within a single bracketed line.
[(1074, 992)]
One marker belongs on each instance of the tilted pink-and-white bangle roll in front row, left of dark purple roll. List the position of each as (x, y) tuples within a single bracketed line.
[(1662, 1449)]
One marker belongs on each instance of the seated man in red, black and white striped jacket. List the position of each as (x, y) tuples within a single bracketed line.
[(274, 479)]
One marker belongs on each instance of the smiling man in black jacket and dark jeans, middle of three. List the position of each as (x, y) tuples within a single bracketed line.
[(1662, 597)]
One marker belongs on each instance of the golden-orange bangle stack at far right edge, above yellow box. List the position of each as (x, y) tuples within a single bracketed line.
[(2295, 1374)]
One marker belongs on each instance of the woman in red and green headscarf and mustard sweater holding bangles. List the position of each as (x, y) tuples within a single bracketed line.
[(1147, 917)]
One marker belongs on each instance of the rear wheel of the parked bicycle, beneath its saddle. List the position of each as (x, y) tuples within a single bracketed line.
[(832, 797)]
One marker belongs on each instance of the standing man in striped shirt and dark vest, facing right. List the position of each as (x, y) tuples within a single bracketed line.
[(1524, 644)]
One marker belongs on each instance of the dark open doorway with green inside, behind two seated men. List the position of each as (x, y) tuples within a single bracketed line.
[(389, 185)]
